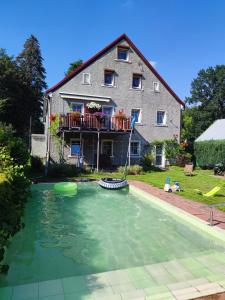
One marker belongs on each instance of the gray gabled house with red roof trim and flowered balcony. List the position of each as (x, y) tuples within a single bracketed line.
[(124, 85)]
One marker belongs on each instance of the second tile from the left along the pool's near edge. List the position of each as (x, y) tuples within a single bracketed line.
[(24, 292)]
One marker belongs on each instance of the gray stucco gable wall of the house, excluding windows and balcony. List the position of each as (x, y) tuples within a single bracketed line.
[(121, 96)]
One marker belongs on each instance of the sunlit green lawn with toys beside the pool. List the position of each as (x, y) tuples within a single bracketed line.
[(202, 180)]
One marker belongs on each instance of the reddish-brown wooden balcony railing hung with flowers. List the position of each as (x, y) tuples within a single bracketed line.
[(91, 122)]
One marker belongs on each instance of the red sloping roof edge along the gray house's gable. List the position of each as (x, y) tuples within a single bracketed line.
[(103, 51)]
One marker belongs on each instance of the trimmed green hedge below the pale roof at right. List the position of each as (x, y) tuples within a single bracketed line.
[(209, 153)]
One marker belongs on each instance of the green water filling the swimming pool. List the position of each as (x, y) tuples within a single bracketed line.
[(95, 231)]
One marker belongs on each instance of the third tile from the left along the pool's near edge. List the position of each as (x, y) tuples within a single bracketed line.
[(51, 287)]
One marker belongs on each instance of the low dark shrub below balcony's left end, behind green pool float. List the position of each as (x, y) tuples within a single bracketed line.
[(63, 170)]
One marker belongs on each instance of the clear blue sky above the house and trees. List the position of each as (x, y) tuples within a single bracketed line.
[(181, 36)]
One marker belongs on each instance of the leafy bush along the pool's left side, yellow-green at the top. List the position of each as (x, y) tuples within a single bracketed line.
[(14, 190)]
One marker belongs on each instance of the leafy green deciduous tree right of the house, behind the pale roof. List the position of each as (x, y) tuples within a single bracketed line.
[(207, 101)]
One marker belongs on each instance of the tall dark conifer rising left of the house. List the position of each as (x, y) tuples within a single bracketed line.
[(33, 72)]
